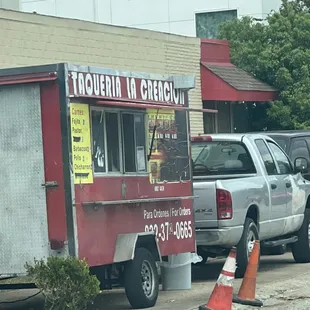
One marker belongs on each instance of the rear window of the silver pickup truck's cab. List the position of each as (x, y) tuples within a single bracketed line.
[(221, 158)]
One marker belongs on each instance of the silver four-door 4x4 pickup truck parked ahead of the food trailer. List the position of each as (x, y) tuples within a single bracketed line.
[(248, 189)]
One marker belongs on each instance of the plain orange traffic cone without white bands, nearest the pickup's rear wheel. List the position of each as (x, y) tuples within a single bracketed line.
[(246, 295)]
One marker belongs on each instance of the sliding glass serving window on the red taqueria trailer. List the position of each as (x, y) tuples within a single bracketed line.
[(118, 141)]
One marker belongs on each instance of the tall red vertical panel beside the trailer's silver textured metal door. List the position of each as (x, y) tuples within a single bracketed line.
[(53, 163)]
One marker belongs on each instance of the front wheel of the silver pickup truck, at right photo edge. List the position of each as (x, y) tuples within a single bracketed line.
[(301, 248)]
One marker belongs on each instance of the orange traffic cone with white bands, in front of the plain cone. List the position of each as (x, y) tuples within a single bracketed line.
[(221, 297)]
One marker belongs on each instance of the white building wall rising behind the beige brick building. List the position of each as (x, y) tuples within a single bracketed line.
[(172, 16)]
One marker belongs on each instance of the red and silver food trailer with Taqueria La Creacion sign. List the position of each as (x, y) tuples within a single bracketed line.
[(95, 164)]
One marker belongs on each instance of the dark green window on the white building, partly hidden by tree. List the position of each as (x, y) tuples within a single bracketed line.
[(207, 23)]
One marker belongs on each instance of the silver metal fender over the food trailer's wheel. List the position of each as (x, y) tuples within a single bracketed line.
[(127, 243)]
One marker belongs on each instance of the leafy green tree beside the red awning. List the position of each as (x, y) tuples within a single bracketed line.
[(277, 51)]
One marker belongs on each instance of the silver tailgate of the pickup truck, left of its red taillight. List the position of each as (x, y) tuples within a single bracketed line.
[(205, 204)]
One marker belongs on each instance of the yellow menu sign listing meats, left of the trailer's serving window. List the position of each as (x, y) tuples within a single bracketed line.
[(81, 144)]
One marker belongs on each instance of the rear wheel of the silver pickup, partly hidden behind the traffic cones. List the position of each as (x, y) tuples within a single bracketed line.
[(250, 233)]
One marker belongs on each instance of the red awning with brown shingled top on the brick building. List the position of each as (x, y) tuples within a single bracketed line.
[(226, 82)]
